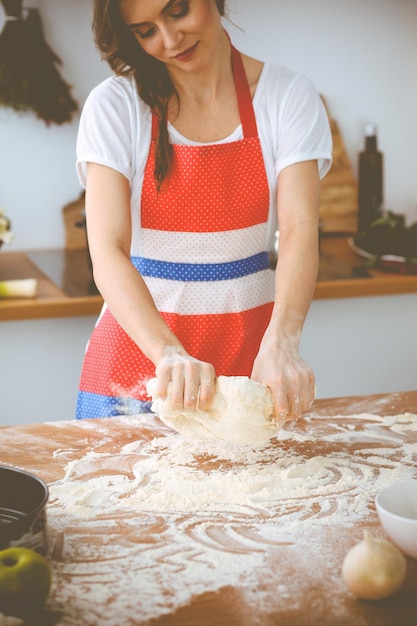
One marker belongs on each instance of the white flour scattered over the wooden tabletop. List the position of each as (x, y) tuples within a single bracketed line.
[(145, 530)]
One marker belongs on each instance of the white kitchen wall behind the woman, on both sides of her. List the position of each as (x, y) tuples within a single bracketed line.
[(361, 54)]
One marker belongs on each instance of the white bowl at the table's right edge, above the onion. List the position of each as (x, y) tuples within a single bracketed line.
[(397, 510)]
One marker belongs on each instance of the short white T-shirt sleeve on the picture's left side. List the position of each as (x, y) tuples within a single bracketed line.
[(105, 132)]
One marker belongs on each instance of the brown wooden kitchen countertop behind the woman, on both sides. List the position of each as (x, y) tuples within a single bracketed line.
[(342, 275)]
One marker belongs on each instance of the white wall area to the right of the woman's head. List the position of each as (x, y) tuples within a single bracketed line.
[(362, 56)]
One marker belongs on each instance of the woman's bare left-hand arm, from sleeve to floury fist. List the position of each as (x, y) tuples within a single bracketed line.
[(126, 293)]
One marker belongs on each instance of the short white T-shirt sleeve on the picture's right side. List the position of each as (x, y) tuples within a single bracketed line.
[(303, 127)]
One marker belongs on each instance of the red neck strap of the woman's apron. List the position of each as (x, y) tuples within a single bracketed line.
[(244, 99)]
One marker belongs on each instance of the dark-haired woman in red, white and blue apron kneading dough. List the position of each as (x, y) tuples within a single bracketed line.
[(189, 155)]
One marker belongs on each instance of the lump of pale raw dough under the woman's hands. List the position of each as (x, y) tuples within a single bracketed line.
[(242, 412)]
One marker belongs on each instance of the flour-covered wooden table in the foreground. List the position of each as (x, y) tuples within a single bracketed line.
[(259, 560)]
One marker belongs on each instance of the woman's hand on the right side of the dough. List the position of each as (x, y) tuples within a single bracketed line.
[(289, 378)]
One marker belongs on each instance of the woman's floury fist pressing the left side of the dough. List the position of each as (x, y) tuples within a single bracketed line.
[(192, 381)]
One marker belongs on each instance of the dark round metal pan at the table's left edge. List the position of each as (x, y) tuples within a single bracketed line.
[(23, 499)]
